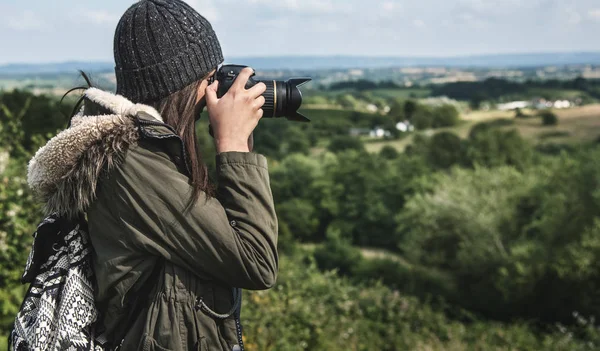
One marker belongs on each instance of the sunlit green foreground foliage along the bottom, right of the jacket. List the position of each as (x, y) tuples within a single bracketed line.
[(309, 310)]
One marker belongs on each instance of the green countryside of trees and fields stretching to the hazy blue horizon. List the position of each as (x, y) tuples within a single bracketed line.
[(439, 206)]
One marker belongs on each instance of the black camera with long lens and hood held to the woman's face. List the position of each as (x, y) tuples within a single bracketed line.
[(282, 98)]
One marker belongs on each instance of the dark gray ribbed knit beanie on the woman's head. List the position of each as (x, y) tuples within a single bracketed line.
[(162, 46)]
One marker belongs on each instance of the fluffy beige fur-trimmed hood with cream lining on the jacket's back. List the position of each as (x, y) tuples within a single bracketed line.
[(64, 173)]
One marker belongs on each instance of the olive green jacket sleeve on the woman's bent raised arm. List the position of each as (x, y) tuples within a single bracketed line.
[(231, 237)]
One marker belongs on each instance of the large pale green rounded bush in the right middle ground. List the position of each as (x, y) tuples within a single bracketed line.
[(464, 227)]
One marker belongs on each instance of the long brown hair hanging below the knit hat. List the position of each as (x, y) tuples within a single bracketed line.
[(179, 110)]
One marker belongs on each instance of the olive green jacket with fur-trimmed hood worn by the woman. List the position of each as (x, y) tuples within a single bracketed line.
[(166, 279)]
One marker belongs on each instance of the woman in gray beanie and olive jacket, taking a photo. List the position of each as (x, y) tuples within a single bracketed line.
[(170, 253)]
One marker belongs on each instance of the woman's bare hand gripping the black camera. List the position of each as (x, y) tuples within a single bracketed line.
[(234, 116)]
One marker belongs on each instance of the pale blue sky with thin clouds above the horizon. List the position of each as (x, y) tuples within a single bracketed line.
[(41, 31)]
